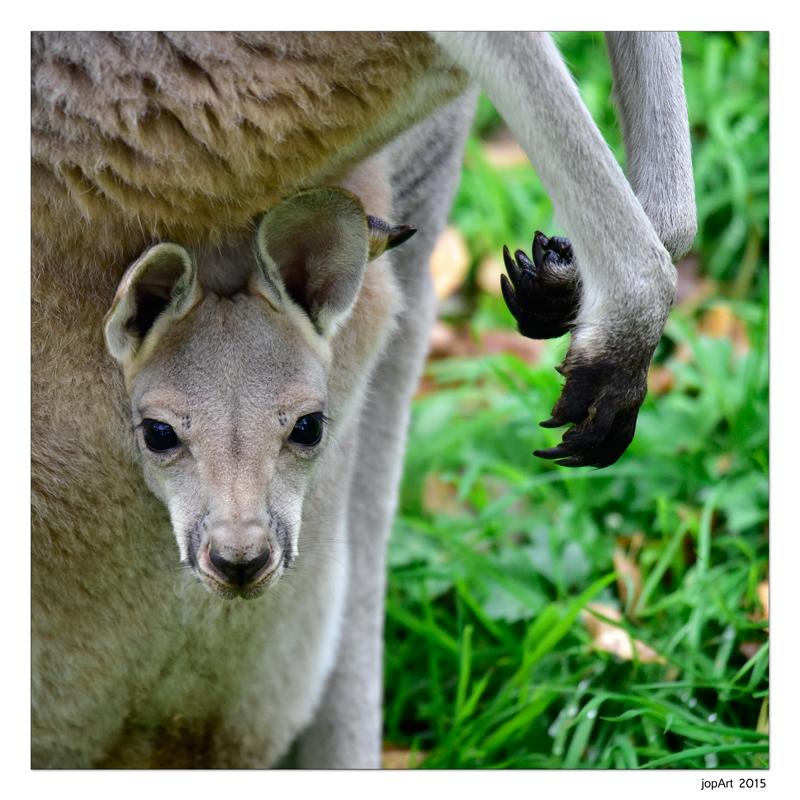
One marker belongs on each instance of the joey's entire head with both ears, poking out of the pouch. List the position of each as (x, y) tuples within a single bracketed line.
[(229, 399)]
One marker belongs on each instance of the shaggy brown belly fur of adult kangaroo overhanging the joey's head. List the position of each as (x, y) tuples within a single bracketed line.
[(192, 135)]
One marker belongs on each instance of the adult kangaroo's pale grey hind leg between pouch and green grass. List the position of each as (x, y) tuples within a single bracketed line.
[(425, 164)]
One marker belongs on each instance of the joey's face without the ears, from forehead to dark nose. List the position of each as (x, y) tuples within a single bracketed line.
[(230, 417)]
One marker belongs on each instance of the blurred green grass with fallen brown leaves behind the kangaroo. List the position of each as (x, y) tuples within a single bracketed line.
[(545, 617)]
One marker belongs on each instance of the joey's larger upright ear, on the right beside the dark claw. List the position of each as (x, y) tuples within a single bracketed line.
[(312, 250)]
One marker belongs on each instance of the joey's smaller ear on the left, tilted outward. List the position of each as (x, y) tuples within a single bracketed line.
[(163, 279)]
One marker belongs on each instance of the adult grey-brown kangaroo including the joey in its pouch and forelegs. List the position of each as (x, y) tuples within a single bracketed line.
[(166, 150)]
